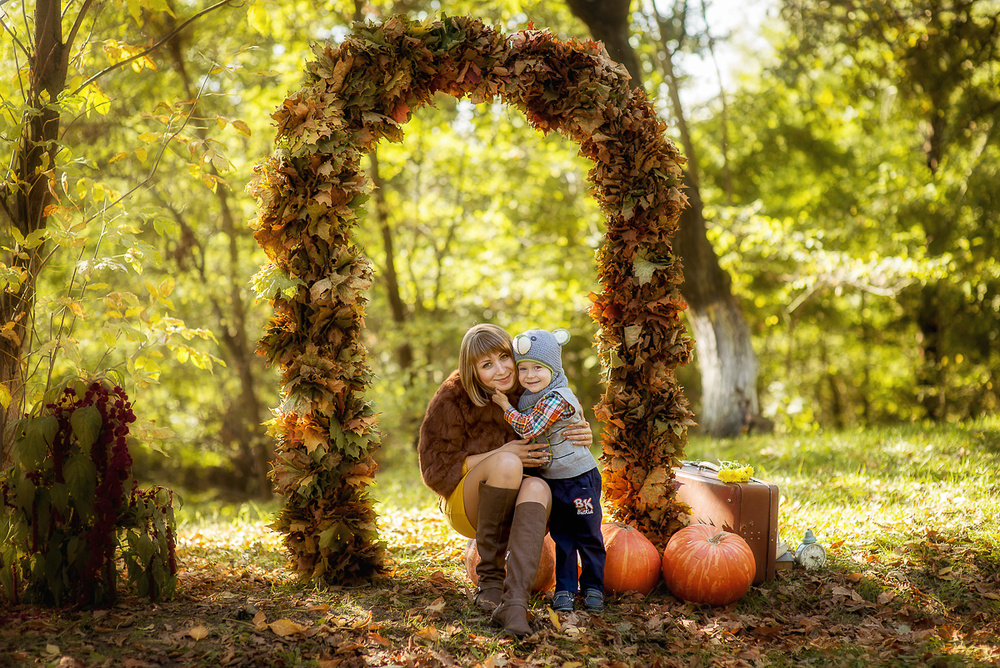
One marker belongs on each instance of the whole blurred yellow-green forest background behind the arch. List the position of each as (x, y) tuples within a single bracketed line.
[(843, 171)]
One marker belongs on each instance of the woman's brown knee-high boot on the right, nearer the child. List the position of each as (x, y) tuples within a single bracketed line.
[(527, 532)]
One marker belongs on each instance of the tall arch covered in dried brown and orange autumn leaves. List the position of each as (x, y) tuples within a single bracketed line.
[(309, 197)]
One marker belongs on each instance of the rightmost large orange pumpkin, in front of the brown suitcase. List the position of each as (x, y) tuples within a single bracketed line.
[(705, 564)]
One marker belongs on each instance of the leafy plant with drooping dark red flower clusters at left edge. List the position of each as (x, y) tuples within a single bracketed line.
[(71, 507)]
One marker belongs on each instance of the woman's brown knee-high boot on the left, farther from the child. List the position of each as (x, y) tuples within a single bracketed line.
[(496, 505)]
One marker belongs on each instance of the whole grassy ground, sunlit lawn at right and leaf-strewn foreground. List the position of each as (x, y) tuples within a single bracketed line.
[(909, 515)]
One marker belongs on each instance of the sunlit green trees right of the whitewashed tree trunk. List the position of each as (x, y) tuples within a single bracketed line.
[(844, 243)]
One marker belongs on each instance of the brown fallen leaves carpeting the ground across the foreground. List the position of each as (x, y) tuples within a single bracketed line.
[(934, 600)]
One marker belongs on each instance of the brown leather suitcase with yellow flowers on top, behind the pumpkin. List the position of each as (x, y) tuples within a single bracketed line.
[(749, 509)]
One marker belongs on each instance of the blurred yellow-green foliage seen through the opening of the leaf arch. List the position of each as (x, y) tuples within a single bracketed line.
[(491, 223)]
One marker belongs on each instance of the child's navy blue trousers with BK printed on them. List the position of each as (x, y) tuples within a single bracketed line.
[(575, 527)]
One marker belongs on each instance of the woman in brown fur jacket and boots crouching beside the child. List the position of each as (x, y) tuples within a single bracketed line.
[(476, 462)]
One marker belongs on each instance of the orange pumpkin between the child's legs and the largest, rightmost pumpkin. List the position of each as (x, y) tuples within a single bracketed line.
[(633, 562)]
